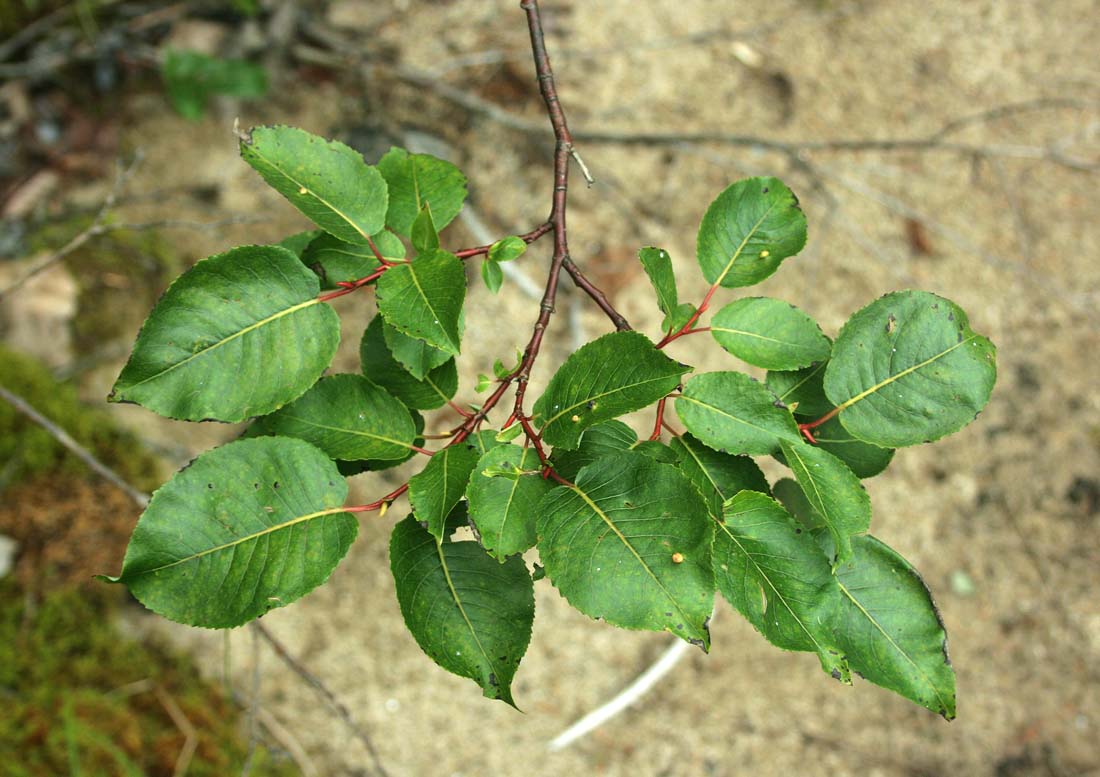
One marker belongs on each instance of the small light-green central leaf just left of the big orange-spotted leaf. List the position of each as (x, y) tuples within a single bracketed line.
[(503, 509)]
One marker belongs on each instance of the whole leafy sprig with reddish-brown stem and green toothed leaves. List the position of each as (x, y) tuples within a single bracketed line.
[(640, 533)]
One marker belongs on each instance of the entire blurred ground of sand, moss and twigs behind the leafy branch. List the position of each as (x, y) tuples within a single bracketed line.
[(942, 146)]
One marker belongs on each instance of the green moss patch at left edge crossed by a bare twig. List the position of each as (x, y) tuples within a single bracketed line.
[(27, 451)]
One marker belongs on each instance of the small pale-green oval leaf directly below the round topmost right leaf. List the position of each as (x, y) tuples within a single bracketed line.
[(771, 334)]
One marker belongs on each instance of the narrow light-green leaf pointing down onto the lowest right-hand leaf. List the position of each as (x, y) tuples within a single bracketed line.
[(833, 490)]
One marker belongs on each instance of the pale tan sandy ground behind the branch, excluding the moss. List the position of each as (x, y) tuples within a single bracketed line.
[(1002, 519)]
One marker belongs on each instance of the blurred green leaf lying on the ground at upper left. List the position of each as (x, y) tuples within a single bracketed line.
[(192, 79)]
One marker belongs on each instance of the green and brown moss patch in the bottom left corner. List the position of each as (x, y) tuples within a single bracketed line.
[(78, 695)]
